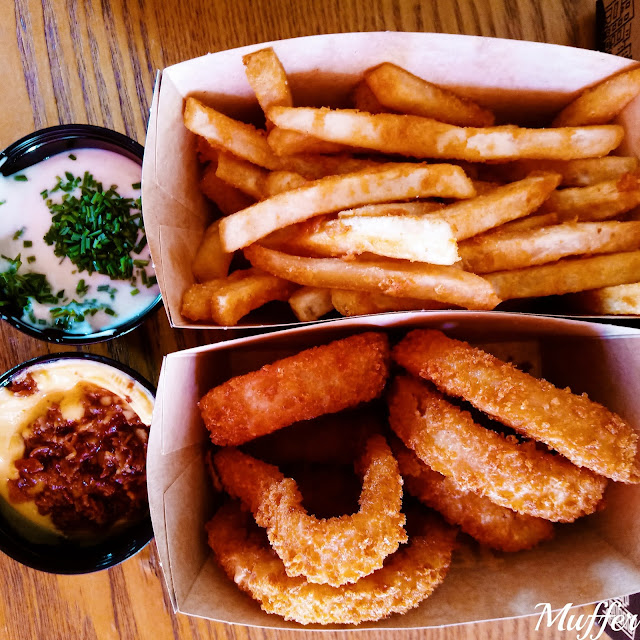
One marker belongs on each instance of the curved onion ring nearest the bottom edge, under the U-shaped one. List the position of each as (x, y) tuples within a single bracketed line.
[(408, 577)]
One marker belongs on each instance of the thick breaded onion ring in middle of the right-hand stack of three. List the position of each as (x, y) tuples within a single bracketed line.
[(513, 475)]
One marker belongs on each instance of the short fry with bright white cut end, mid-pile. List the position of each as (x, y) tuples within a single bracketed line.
[(414, 238)]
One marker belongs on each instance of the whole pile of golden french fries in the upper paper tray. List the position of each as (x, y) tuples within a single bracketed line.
[(413, 199)]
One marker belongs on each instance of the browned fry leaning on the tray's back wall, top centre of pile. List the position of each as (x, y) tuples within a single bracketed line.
[(399, 90)]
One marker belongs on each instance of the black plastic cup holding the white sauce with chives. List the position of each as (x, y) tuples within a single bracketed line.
[(39, 146)]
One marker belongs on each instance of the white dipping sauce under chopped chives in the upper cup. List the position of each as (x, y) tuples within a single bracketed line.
[(25, 218)]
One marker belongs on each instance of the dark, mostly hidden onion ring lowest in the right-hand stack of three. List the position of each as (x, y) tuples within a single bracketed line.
[(497, 527)]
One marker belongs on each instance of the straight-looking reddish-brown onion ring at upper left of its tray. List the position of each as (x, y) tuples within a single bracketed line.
[(316, 381)]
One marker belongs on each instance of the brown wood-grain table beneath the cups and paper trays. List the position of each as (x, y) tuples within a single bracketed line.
[(94, 61)]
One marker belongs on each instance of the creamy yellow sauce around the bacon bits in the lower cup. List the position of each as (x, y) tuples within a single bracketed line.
[(57, 382)]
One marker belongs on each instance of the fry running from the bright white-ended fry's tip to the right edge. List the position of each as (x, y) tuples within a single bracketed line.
[(515, 250)]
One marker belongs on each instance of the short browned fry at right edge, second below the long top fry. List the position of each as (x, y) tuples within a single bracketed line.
[(597, 202)]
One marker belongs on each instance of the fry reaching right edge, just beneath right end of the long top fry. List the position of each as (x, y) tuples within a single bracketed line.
[(575, 173)]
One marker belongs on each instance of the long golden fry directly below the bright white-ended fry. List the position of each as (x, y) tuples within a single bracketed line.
[(394, 277)]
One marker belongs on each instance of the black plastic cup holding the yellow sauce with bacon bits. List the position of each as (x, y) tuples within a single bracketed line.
[(65, 556)]
